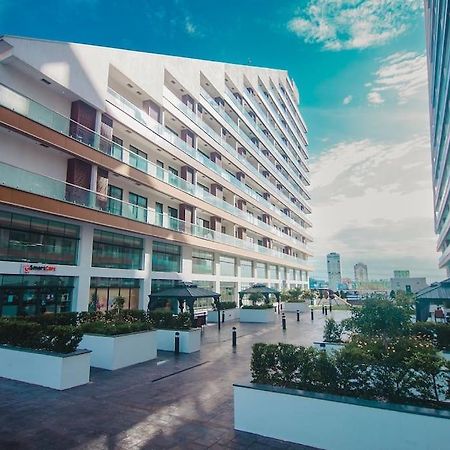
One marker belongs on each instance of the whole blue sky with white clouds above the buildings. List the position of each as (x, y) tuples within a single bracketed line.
[(361, 69)]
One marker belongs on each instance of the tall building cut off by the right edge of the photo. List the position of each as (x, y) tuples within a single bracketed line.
[(438, 51)]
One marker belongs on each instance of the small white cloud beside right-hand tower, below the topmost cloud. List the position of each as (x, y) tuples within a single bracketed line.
[(404, 74)]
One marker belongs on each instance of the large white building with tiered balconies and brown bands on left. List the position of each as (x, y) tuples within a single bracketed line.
[(122, 172)]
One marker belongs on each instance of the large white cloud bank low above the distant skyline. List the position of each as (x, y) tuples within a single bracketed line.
[(373, 202)]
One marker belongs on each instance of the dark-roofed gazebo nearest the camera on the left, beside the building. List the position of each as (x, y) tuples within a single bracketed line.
[(186, 292)]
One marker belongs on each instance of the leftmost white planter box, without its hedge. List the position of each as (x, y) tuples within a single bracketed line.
[(54, 370)]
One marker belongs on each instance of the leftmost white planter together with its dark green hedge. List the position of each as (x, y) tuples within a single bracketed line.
[(43, 353)]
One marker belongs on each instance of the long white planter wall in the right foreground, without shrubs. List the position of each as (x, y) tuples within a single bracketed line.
[(337, 423)]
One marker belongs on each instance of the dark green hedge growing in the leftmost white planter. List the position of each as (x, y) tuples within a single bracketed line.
[(32, 335)]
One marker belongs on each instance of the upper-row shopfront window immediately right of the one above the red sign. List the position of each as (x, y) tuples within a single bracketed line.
[(116, 250)]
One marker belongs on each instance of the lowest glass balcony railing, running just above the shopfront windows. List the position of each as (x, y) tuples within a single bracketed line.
[(23, 180)]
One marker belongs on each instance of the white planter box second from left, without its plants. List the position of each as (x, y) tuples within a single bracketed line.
[(115, 352)]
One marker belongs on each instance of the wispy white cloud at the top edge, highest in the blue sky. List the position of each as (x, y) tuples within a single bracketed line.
[(349, 24)]
